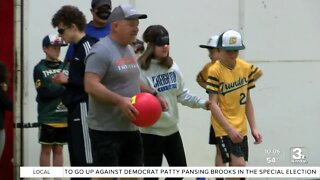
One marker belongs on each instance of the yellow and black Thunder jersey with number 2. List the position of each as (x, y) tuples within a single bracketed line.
[(232, 86)]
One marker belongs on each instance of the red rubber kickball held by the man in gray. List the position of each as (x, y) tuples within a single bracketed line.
[(149, 109)]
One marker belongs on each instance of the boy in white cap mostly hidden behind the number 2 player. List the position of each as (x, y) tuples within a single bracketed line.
[(214, 55)]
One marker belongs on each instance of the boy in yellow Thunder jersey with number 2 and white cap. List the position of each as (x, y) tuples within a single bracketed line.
[(229, 82)]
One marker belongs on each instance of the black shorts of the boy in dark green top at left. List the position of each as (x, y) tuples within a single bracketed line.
[(52, 135)]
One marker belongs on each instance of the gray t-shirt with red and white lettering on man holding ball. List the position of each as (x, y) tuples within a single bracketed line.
[(117, 65)]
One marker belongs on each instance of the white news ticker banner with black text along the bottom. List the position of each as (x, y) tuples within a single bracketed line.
[(195, 172)]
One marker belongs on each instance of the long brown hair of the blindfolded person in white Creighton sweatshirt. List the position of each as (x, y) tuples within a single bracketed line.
[(149, 36)]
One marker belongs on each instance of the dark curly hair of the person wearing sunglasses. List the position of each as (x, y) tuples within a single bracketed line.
[(69, 15)]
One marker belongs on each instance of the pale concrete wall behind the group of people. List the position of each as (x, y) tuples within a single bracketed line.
[(280, 37)]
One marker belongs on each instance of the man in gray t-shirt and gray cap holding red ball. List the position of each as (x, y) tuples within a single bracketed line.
[(112, 77)]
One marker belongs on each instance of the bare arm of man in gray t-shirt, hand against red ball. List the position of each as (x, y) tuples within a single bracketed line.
[(98, 91)]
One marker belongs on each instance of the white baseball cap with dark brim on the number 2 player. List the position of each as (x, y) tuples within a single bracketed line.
[(230, 40)]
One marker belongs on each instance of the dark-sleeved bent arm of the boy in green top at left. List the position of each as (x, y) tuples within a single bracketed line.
[(46, 89)]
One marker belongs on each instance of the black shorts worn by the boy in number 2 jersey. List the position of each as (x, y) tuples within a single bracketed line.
[(227, 147)]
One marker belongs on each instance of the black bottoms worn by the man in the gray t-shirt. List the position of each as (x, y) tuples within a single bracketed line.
[(116, 148)]
